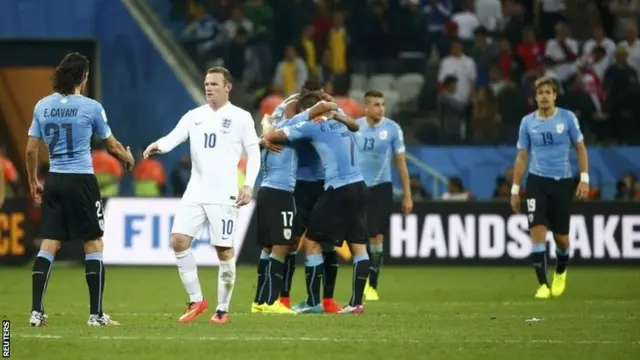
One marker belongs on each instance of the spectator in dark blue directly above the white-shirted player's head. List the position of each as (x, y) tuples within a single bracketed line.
[(207, 34)]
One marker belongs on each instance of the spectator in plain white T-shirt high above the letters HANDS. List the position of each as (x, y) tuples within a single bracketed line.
[(463, 68)]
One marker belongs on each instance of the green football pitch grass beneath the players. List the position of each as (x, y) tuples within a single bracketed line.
[(424, 313)]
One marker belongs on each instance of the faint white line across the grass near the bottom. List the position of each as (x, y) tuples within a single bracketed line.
[(326, 339)]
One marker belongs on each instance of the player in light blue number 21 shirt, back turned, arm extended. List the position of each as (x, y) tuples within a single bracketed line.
[(71, 203)]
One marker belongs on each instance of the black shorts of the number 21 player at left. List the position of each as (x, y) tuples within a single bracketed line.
[(72, 208)]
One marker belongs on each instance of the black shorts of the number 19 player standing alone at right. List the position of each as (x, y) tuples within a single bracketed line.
[(549, 203)]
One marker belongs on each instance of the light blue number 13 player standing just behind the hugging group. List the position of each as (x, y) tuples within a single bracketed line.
[(378, 140)]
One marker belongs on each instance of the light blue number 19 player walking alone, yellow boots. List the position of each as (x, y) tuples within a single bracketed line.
[(547, 135)]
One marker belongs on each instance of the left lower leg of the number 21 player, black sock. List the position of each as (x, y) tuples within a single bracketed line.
[(40, 279)]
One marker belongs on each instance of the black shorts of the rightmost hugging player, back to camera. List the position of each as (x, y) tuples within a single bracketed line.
[(340, 214)]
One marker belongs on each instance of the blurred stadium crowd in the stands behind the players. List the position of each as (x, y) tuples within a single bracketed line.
[(452, 72)]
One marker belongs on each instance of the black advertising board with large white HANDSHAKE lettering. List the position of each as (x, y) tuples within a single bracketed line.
[(488, 233)]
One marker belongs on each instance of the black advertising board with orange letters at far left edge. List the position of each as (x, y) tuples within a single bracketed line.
[(16, 233)]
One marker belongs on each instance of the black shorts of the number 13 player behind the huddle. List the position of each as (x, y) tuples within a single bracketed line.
[(379, 209)]
